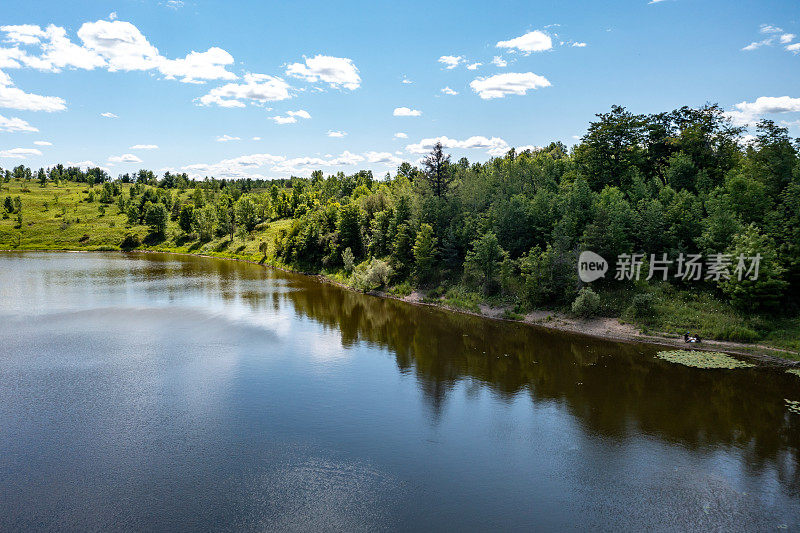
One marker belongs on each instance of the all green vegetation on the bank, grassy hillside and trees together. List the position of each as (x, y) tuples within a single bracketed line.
[(507, 232)]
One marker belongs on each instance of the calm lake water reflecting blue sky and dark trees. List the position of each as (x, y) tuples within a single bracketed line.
[(156, 392)]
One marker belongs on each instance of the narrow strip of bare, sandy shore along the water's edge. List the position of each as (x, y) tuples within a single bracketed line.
[(605, 328)]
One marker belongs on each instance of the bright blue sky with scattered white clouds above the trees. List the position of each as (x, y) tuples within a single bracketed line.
[(270, 89)]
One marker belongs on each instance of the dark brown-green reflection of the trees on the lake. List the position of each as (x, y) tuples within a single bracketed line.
[(614, 389)]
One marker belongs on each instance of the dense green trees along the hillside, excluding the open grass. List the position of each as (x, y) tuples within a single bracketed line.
[(687, 181)]
